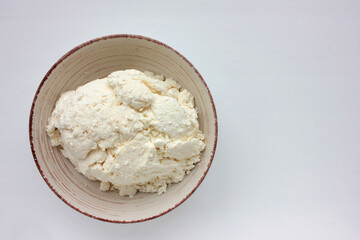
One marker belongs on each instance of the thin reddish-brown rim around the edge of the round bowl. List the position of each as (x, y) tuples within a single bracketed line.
[(67, 55)]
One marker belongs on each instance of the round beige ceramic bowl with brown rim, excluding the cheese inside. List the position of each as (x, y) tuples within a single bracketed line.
[(96, 59)]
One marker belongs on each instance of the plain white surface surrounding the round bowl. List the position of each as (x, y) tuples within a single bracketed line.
[(285, 77)]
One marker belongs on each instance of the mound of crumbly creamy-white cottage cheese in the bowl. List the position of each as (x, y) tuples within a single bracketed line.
[(132, 131)]
